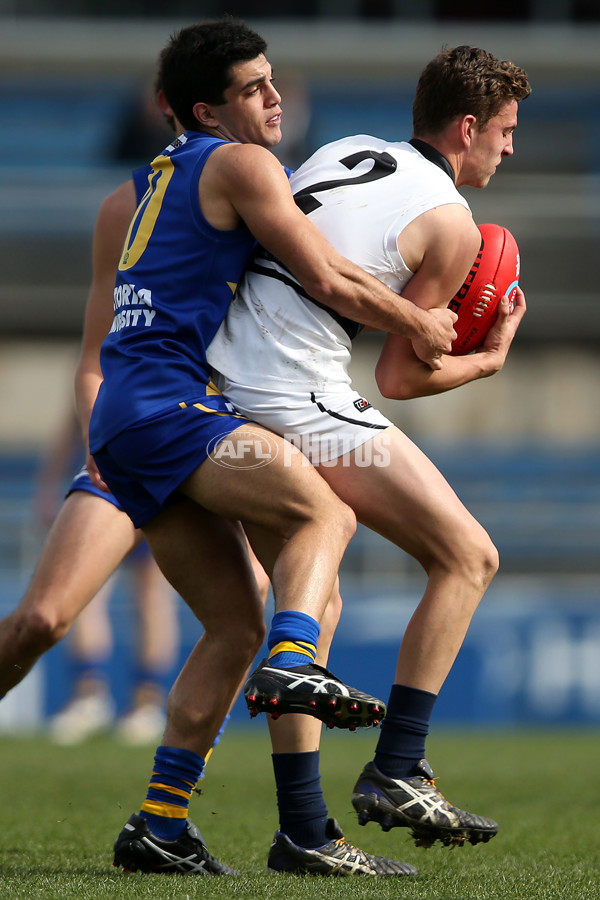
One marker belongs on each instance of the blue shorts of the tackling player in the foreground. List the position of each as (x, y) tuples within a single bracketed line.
[(145, 464)]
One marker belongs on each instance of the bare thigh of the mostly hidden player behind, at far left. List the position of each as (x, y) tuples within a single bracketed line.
[(87, 541)]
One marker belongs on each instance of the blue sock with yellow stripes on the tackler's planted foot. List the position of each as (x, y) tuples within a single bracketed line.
[(167, 802)]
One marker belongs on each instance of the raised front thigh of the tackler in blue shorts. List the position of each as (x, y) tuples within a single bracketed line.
[(264, 481)]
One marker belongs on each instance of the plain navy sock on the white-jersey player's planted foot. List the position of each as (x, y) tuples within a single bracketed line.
[(303, 813)]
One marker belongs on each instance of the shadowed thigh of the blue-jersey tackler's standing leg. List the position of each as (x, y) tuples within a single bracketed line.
[(205, 558)]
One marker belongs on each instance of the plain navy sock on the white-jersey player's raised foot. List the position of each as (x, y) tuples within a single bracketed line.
[(401, 743)]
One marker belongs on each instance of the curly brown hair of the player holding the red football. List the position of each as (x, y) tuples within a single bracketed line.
[(463, 81)]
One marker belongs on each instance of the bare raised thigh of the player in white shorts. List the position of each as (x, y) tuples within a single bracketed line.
[(396, 490)]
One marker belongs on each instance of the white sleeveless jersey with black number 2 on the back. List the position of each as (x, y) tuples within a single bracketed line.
[(361, 192)]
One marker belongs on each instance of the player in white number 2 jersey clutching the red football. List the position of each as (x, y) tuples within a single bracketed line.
[(282, 359)]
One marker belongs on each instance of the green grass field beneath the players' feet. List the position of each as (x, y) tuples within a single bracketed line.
[(64, 807)]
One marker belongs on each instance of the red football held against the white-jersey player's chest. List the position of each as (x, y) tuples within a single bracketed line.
[(494, 274)]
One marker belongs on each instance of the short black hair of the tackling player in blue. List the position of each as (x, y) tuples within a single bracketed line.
[(195, 66)]
